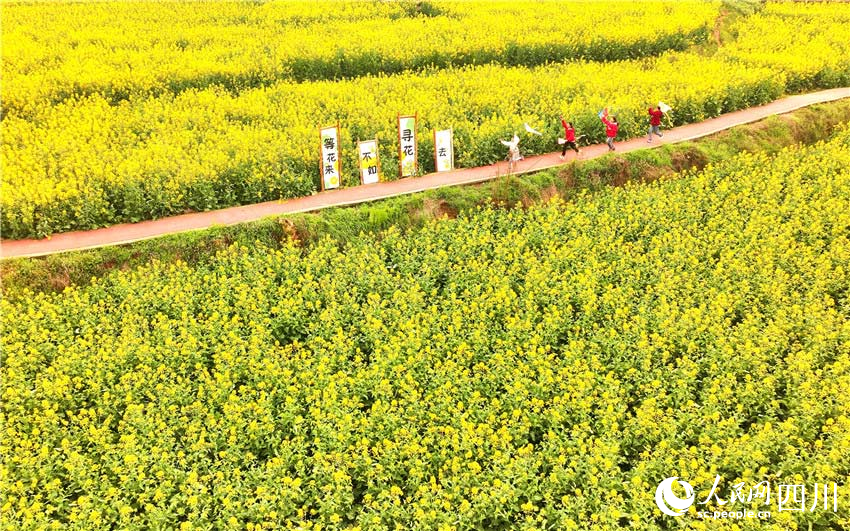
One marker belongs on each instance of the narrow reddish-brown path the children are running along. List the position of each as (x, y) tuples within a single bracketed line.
[(131, 232)]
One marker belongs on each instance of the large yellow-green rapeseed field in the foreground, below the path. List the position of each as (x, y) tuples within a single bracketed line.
[(537, 369)]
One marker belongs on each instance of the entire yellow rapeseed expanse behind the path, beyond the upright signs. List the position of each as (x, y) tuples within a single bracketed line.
[(102, 126)]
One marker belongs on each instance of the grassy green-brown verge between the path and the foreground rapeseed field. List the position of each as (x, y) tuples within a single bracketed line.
[(53, 273)]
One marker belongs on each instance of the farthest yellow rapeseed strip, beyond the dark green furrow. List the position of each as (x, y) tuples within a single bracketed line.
[(55, 51)]
